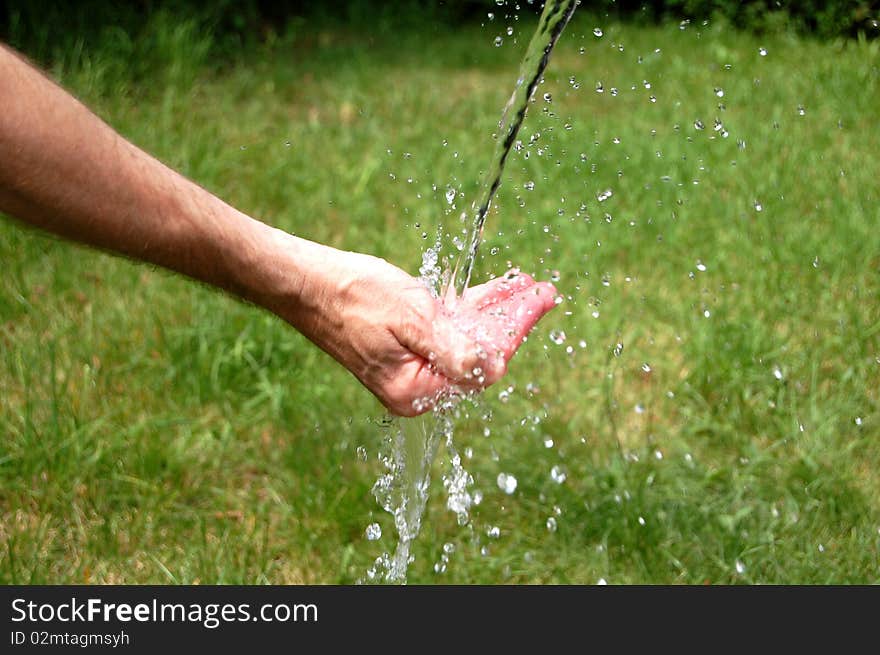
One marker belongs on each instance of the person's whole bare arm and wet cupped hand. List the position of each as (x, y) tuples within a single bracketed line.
[(64, 170)]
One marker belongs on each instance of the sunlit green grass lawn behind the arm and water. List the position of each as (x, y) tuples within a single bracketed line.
[(156, 431)]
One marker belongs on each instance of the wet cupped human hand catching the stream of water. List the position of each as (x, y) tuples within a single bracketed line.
[(407, 347)]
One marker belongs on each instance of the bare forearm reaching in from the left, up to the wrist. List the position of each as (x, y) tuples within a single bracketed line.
[(64, 170)]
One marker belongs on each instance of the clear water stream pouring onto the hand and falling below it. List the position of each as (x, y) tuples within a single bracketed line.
[(412, 444)]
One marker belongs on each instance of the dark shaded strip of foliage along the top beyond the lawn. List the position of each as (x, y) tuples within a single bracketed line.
[(43, 28)]
